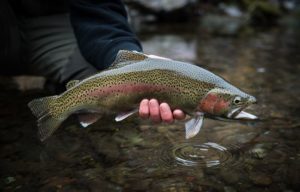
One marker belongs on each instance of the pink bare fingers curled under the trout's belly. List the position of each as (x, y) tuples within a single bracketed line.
[(159, 112)]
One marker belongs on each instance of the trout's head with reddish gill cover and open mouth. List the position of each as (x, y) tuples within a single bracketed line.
[(227, 104)]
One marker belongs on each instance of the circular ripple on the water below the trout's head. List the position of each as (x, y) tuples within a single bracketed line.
[(206, 155)]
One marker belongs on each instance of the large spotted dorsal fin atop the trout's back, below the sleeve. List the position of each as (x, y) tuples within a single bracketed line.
[(127, 56)]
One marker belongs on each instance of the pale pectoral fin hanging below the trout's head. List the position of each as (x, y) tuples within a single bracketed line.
[(193, 126)]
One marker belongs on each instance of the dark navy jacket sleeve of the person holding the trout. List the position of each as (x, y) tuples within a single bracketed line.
[(102, 29)]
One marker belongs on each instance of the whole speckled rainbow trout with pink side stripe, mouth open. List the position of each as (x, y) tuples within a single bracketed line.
[(134, 76)]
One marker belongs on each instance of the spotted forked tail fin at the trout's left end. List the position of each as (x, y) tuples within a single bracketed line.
[(47, 124)]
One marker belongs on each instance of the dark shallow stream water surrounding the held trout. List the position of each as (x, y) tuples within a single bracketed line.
[(140, 156)]
